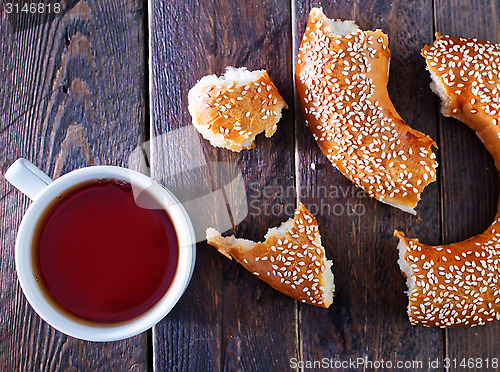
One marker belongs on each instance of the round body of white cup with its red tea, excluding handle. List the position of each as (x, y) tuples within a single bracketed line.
[(109, 256)]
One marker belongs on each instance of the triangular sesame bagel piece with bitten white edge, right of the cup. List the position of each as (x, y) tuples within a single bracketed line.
[(291, 259)]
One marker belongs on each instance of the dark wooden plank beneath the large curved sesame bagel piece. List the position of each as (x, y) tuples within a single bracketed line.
[(368, 317)]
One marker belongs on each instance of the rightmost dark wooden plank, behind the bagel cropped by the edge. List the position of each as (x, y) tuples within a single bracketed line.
[(470, 180)]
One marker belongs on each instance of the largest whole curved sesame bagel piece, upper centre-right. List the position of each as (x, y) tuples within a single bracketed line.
[(341, 78)]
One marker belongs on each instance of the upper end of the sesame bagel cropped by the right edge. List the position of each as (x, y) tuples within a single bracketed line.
[(469, 72)]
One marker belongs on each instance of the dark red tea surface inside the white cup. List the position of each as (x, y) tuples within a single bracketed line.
[(102, 257)]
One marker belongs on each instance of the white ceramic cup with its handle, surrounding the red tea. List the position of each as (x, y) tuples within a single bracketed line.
[(43, 191)]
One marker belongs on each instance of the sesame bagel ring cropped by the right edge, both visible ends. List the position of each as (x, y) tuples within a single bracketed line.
[(459, 284)]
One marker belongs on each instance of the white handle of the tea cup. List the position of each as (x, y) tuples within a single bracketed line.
[(27, 178)]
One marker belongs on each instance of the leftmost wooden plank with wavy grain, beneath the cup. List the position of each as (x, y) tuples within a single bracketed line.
[(72, 95)]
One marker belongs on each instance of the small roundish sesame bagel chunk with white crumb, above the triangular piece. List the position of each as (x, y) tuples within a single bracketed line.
[(231, 110)]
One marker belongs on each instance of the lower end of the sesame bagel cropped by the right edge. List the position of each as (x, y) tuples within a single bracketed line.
[(455, 284)]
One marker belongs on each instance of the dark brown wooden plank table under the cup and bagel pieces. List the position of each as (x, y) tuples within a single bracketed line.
[(88, 85)]
